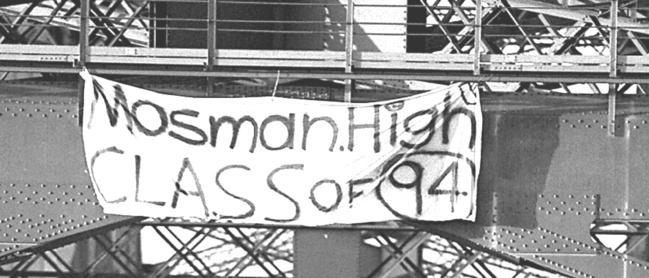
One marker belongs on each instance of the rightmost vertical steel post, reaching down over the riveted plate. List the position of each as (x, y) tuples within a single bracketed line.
[(612, 87)]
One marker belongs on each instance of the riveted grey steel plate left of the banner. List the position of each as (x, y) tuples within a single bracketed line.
[(46, 198)]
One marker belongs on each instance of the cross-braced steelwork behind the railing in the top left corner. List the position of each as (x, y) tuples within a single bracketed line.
[(57, 22)]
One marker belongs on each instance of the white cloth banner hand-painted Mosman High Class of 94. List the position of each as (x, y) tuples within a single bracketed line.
[(282, 161)]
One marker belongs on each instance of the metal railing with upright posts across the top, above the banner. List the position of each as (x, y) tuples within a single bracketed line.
[(345, 37)]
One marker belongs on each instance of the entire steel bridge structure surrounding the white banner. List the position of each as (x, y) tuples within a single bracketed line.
[(563, 186)]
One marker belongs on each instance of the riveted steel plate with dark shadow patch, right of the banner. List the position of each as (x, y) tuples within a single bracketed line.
[(549, 170)]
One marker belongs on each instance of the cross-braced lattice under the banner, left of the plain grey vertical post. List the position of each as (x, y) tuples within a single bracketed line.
[(223, 251)]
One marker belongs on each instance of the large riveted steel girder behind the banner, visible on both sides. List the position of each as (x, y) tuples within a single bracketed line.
[(549, 170)]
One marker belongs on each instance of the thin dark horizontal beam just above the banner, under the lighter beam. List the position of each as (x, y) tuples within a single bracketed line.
[(444, 76)]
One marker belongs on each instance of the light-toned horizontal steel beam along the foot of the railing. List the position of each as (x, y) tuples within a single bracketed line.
[(314, 60)]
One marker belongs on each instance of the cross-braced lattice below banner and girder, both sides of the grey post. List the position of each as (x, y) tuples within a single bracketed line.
[(209, 250)]
